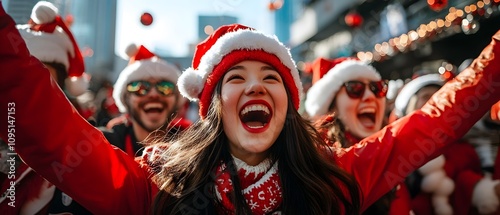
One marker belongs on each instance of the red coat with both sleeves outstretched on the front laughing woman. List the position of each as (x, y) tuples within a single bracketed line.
[(76, 157)]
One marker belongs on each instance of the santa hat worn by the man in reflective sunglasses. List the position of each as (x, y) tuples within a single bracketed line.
[(143, 65)]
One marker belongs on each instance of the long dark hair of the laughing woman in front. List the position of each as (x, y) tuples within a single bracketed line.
[(311, 182)]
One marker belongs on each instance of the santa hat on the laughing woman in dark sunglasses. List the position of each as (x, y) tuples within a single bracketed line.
[(328, 77)]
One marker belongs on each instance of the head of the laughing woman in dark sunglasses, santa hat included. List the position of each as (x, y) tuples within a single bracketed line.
[(354, 91)]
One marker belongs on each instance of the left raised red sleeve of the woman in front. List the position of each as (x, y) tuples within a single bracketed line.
[(51, 137)]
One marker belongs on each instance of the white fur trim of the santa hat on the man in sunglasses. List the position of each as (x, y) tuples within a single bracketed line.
[(142, 70)]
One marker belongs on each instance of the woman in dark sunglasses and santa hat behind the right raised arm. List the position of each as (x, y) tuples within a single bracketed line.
[(347, 101)]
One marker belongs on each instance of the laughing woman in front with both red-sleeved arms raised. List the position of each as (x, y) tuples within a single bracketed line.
[(251, 152)]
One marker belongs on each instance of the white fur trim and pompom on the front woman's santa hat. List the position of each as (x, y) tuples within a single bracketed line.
[(192, 81)]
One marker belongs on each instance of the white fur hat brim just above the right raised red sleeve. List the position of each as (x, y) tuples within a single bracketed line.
[(411, 88)]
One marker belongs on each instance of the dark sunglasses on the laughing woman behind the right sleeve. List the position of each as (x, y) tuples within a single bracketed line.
[(356, 89)]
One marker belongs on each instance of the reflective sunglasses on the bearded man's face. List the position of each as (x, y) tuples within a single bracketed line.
[(142, 88)]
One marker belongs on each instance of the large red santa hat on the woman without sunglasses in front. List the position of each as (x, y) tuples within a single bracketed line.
[(227, 46)]
